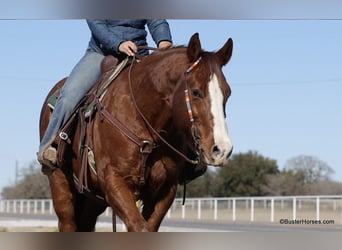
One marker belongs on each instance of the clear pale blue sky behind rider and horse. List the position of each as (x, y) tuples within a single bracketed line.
[(285, 75)]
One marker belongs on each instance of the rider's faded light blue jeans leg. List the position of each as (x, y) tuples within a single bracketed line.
[(81, 79)]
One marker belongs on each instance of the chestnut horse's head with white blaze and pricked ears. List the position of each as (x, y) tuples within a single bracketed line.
[(205, 92)]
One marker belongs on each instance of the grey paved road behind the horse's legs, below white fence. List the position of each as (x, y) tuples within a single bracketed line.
[(173, 225)]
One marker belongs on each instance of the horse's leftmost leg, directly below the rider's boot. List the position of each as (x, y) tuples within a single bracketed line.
[(62, 198)]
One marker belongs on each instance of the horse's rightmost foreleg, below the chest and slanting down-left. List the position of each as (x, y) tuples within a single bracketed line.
[(154, 212)]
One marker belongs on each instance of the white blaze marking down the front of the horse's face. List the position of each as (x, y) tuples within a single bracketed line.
[(221, 137)]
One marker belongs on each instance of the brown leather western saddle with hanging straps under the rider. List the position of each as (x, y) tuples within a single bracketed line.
[(83, 113)]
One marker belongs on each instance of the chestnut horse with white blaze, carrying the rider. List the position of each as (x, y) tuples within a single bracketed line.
[(171, 107)]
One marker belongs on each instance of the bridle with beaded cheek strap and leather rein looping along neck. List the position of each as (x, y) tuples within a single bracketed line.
[(189, 111)]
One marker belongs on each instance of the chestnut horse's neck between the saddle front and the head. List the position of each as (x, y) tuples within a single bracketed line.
[(154, 93)]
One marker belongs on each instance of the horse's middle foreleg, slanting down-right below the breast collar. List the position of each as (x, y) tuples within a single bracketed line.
[(122, 200)]
